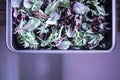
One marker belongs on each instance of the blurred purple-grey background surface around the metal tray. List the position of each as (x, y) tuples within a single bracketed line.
[(15, 66)]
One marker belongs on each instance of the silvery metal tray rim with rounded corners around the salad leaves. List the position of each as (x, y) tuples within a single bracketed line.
[(9, 34)]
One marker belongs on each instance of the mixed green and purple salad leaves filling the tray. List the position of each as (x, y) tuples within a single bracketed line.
[(60, 24)]
